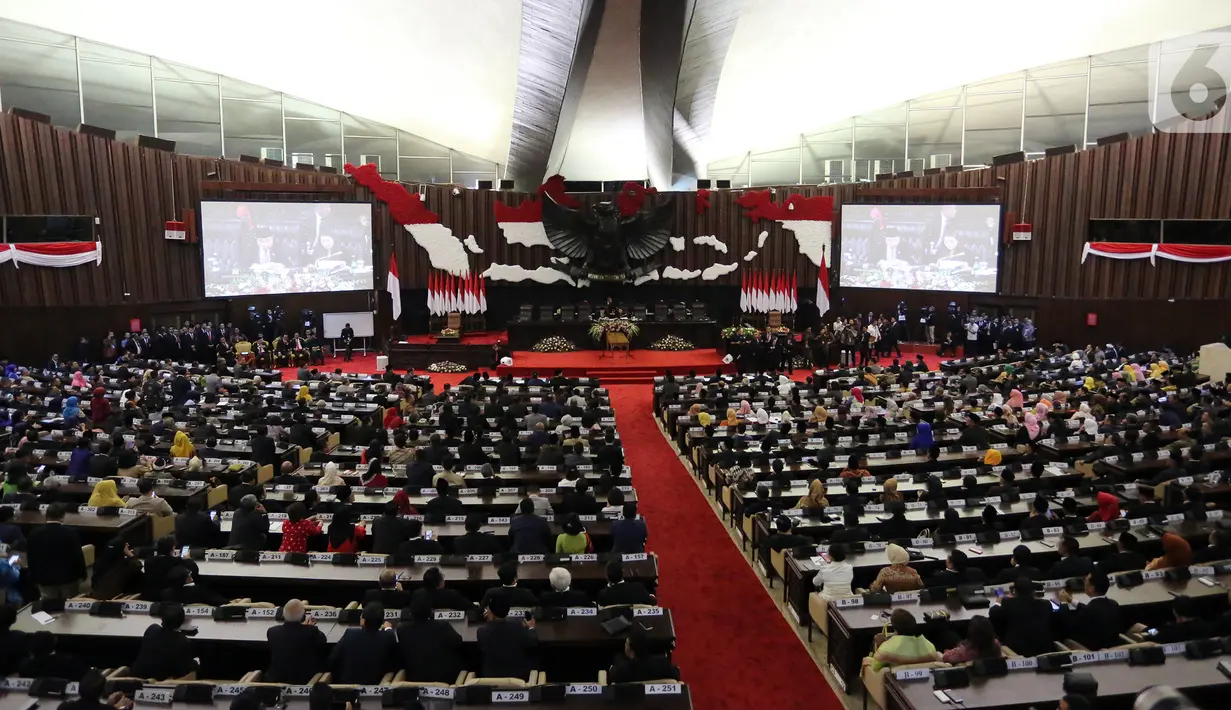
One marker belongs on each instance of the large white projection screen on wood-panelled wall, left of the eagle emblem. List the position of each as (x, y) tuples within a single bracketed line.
[(271, 248)]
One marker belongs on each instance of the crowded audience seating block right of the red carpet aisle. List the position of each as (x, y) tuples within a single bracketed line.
[(999, 489)]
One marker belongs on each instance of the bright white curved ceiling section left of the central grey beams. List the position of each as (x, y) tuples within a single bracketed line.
[(443, 70)]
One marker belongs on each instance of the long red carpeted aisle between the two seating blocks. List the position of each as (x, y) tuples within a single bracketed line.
[(736, 650)]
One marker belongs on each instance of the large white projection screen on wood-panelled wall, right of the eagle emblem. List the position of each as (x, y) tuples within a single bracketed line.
[(921, 247)]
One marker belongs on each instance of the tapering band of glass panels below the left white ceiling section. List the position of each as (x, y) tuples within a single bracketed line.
[(77, 82)]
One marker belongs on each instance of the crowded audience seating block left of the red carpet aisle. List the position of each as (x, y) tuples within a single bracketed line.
[(487, 526)]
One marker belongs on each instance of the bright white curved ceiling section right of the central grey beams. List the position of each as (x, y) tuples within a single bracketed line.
[(797, 66)]
